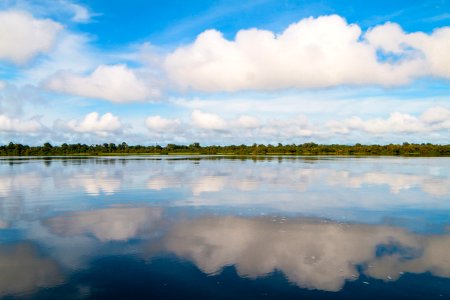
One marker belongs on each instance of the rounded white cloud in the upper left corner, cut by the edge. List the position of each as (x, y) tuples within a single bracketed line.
[(22, 36)]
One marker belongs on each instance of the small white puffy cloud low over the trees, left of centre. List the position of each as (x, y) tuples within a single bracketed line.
[(94, 123)]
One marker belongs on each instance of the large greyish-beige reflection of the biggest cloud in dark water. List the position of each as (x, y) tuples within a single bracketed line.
[(313, 254)]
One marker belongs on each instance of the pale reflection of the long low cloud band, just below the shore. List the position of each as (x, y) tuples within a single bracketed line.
[(299, 177)]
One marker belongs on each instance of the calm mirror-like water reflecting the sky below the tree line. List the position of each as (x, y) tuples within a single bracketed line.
[(199, 227)]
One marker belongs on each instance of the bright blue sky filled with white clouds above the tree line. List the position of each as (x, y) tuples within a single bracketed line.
[(224, 72)]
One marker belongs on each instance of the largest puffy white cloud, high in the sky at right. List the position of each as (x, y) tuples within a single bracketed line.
[(313, 53)]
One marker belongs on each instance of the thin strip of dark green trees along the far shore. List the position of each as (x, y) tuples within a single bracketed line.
[(405, 149)]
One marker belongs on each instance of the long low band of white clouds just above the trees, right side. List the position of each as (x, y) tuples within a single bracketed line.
[(243, 128)]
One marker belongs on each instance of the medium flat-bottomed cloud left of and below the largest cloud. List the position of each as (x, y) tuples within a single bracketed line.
[(116, 83)]
